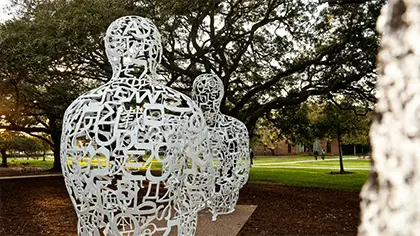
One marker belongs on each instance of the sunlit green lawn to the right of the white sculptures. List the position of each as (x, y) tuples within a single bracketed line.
[(317, 174)]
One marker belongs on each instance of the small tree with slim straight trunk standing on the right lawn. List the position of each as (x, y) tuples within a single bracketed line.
[(337, 121)]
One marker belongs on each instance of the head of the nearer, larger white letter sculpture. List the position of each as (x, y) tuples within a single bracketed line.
[(133, 43)]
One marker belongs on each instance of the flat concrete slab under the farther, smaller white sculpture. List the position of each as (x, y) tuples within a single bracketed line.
[(225, 225)]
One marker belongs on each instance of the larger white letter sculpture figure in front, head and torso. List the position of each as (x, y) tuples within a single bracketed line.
[(134, 153)]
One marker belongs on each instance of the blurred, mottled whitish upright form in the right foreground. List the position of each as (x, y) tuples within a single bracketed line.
[(391, 197)]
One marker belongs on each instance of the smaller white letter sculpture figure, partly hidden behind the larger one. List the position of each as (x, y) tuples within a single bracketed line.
[(229, 144)]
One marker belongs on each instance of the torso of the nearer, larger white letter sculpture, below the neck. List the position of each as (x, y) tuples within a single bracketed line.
[(117, 138)]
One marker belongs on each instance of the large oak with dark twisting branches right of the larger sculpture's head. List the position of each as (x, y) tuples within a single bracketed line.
[(326, 51)]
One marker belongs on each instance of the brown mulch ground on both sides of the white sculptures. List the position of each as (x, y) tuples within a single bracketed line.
[(40, 206)]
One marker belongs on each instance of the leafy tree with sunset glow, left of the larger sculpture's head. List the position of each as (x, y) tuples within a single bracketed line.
[(51, 55)]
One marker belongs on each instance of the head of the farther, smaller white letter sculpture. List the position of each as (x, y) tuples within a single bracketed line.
[(207, 92)]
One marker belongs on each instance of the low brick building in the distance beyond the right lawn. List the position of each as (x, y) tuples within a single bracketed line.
[(285, 148)]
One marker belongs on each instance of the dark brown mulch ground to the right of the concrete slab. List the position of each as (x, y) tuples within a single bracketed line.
[(288, 211)]
